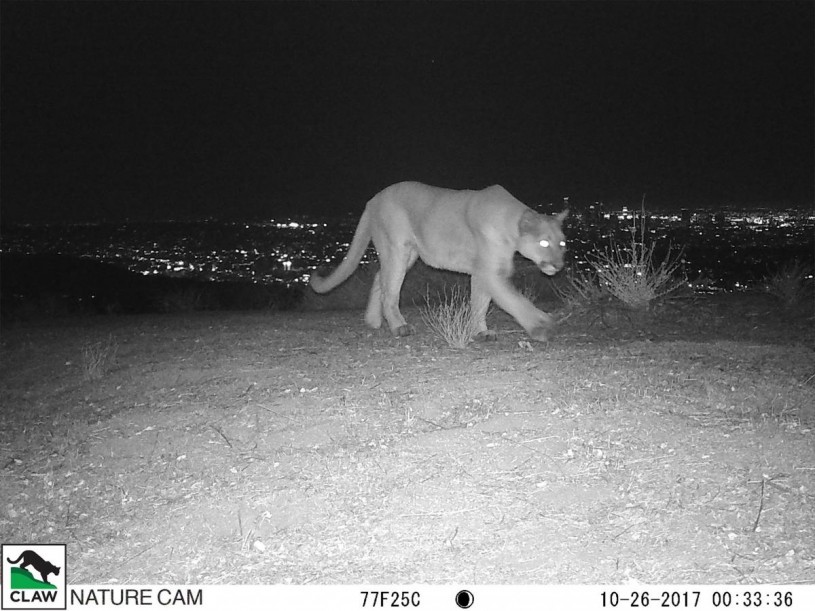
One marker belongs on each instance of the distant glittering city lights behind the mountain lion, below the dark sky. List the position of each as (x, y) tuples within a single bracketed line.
[(728, 250)]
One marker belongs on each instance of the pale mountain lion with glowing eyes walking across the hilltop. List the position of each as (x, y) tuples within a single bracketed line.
[(474, 232)]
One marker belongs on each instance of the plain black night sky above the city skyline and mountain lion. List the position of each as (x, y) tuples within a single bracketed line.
[(176, 110)]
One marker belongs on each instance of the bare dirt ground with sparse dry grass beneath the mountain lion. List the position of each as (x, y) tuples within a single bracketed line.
[(294, 448)]
